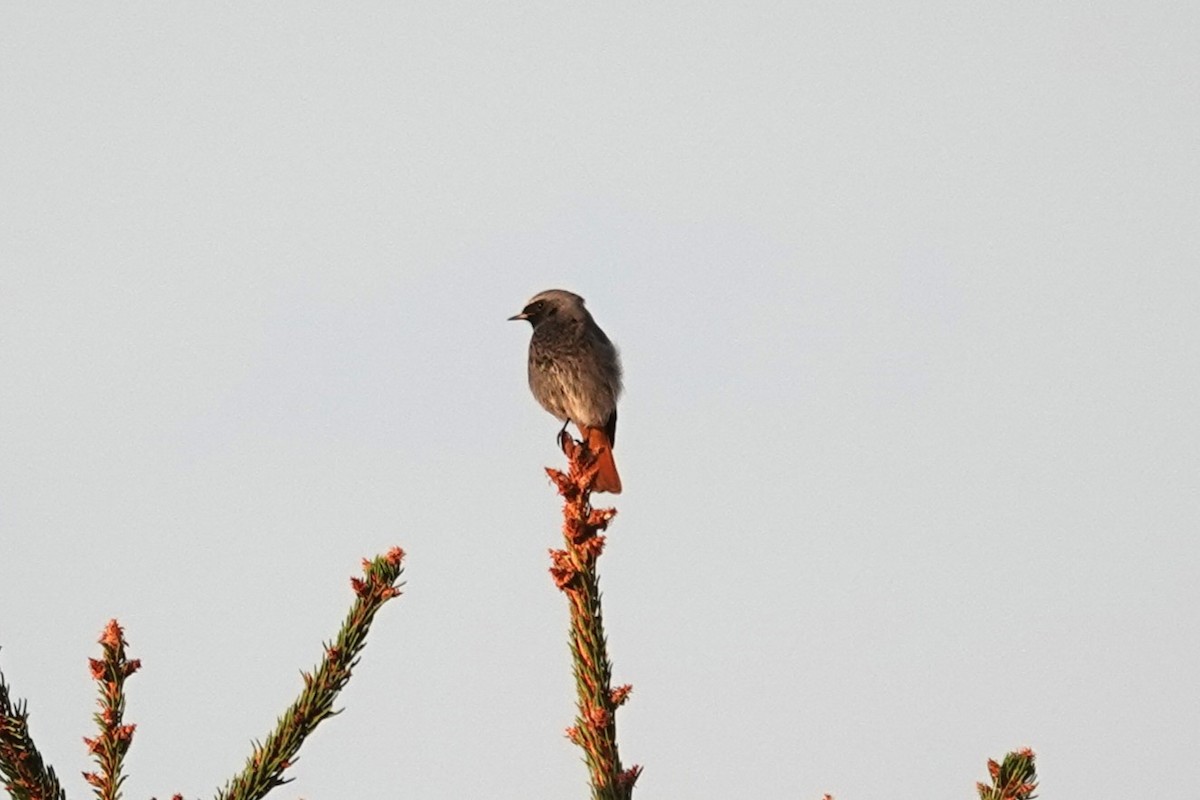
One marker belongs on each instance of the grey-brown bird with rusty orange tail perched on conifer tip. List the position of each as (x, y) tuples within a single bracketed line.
[(575, 374)]
